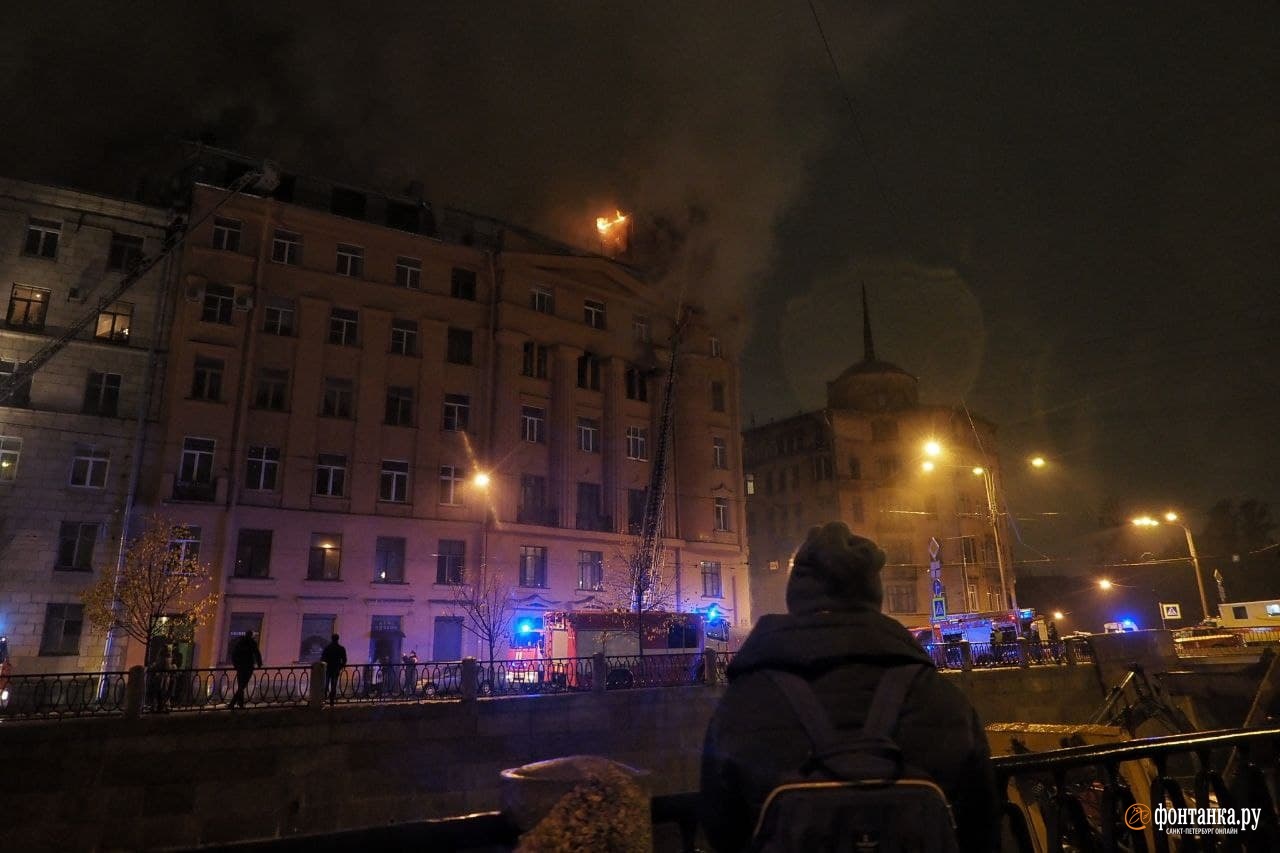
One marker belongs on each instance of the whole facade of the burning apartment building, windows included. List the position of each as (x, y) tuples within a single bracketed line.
[(345, 363)]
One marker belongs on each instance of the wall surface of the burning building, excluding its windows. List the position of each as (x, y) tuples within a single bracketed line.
[(492, 523)]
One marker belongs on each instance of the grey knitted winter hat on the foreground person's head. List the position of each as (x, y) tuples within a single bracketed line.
[(835, 569)]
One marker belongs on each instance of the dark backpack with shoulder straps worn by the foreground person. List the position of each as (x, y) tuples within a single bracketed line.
[(856, 793)]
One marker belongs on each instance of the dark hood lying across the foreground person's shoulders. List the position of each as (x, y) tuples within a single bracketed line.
[(819, 641)]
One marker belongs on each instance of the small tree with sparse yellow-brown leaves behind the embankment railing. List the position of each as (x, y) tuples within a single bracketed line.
[(156, 583)]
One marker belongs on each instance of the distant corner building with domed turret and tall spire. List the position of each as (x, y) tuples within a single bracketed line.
[(860, 460)]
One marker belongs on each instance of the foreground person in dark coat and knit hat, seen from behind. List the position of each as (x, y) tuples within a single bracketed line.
[(836, 638)]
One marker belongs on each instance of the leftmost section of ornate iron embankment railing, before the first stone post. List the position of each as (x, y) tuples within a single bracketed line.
[(66, 695)]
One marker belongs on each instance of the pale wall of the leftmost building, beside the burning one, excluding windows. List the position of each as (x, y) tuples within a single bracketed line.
[(43, 440)]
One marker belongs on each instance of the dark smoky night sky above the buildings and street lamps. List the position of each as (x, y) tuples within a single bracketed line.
[(1066, 215)]
